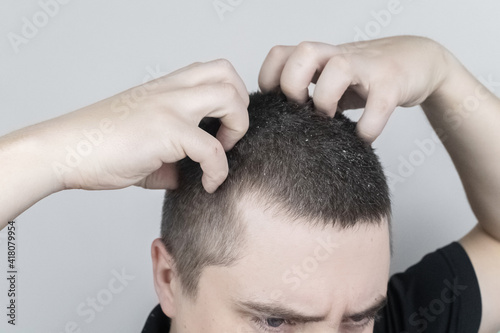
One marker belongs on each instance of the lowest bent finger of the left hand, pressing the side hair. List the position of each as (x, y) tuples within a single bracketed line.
[(203, 148)]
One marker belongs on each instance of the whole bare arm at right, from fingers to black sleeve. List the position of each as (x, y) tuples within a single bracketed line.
[(382, 74)]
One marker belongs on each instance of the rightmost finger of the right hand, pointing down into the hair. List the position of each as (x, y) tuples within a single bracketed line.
[(379, 107)]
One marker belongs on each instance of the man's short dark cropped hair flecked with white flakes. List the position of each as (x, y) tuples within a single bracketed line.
[(294, 159)]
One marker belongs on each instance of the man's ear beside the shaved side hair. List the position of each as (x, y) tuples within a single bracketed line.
[(165, 279)]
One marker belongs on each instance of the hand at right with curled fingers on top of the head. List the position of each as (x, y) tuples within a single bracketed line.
[(378, 75)]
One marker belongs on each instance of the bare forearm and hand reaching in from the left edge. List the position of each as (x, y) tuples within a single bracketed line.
[(152, 127)]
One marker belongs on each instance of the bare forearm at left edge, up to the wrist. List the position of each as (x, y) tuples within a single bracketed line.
[(25, 174)]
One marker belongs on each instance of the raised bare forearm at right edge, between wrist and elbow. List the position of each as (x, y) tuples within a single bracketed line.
[(467, 118)]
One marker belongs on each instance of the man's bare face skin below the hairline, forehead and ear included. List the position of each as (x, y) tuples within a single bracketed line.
[(328, 284)]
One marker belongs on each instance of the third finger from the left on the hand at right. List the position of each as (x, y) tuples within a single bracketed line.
[(333, 82)]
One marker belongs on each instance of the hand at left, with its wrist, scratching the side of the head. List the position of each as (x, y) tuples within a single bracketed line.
[(135, 137)]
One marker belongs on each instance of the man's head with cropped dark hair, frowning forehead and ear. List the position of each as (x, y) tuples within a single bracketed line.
[(300, 223)]
